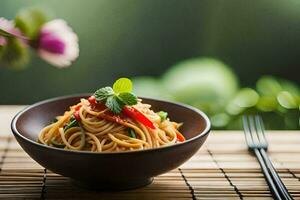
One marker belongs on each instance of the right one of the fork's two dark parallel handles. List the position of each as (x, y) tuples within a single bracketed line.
[(280, 186)]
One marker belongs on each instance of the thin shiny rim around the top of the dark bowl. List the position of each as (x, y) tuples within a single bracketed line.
[(18, 134)]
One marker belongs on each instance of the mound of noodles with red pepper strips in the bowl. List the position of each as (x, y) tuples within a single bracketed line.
[(90, 127)]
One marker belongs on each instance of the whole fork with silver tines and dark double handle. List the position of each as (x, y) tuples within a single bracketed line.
[(257, 142)]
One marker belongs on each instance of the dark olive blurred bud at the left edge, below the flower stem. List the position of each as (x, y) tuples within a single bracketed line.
[(15, 55)]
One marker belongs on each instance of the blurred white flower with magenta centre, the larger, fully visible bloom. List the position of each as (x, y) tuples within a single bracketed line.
[(57, 43)]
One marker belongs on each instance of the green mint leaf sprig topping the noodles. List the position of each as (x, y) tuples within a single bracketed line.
[(117, 97)]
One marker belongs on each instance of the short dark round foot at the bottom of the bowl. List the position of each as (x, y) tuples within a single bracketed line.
[(109, 186)]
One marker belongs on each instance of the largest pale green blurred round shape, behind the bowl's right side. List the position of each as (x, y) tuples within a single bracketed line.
[(201, 81)]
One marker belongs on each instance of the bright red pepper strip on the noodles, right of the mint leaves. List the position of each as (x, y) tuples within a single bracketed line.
[(138, 116)]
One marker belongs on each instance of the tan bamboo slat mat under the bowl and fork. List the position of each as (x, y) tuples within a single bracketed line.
[(222, 169)]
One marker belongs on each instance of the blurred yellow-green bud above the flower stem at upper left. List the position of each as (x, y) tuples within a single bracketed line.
[(29, 21)]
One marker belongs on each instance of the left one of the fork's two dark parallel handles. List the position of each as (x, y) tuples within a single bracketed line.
[(270, 182)]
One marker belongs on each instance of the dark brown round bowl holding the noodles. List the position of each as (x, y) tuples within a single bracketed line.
[(119, 170)]
